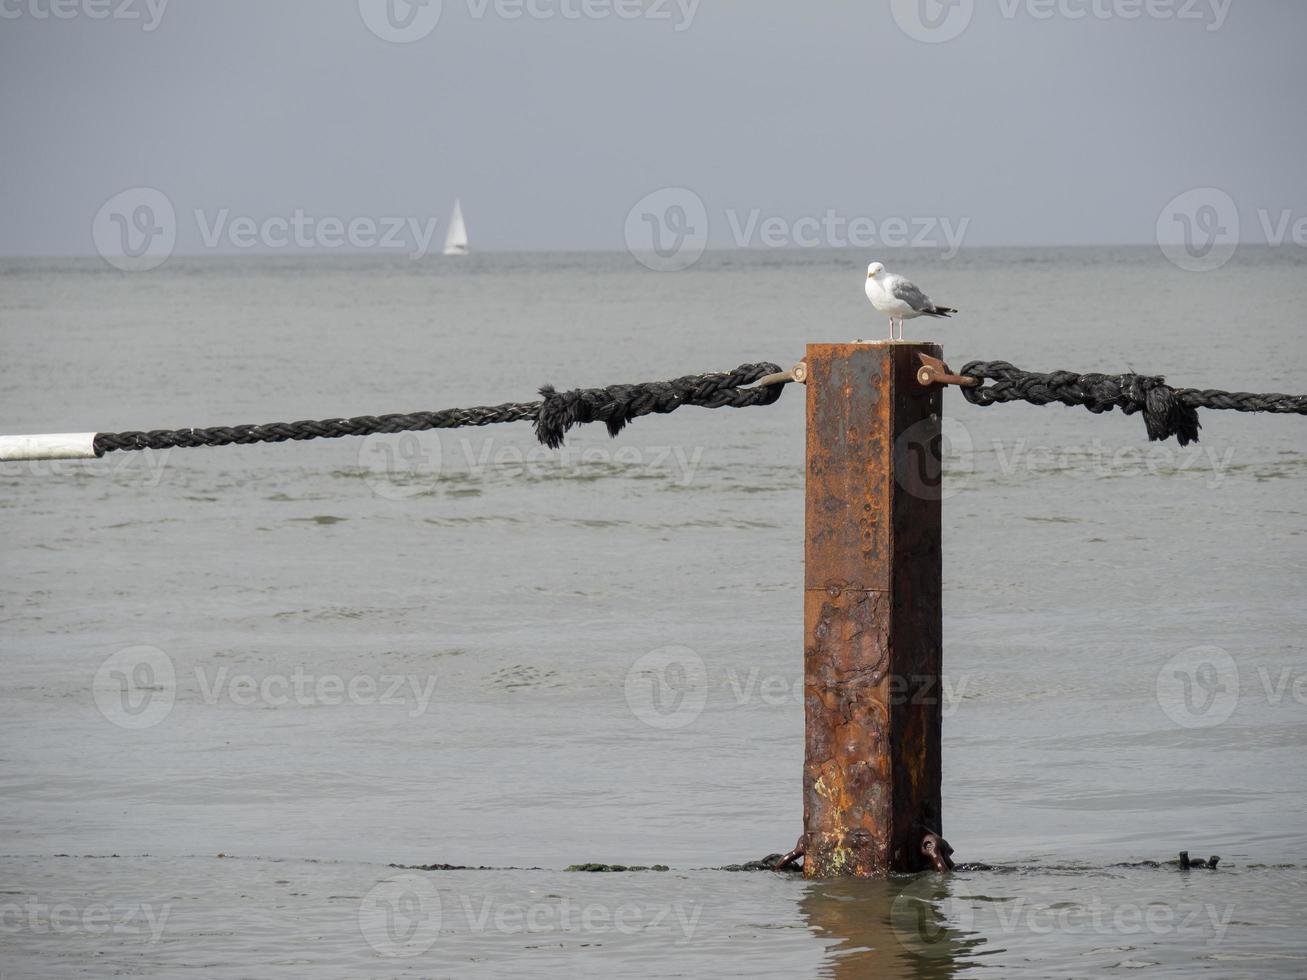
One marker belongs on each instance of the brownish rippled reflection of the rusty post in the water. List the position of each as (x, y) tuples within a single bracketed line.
[(899, 927)]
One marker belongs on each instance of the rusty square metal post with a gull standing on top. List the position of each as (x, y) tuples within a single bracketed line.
[(872, 649)]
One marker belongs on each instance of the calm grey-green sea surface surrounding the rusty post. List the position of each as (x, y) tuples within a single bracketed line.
[(237, 685)]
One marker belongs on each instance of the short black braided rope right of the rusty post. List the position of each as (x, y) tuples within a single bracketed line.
[(1166, 411)]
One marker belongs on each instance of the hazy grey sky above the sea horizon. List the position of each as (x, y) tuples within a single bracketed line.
[(1042, 122)]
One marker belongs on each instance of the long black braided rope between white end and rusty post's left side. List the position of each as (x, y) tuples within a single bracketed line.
[(554, 416)]
